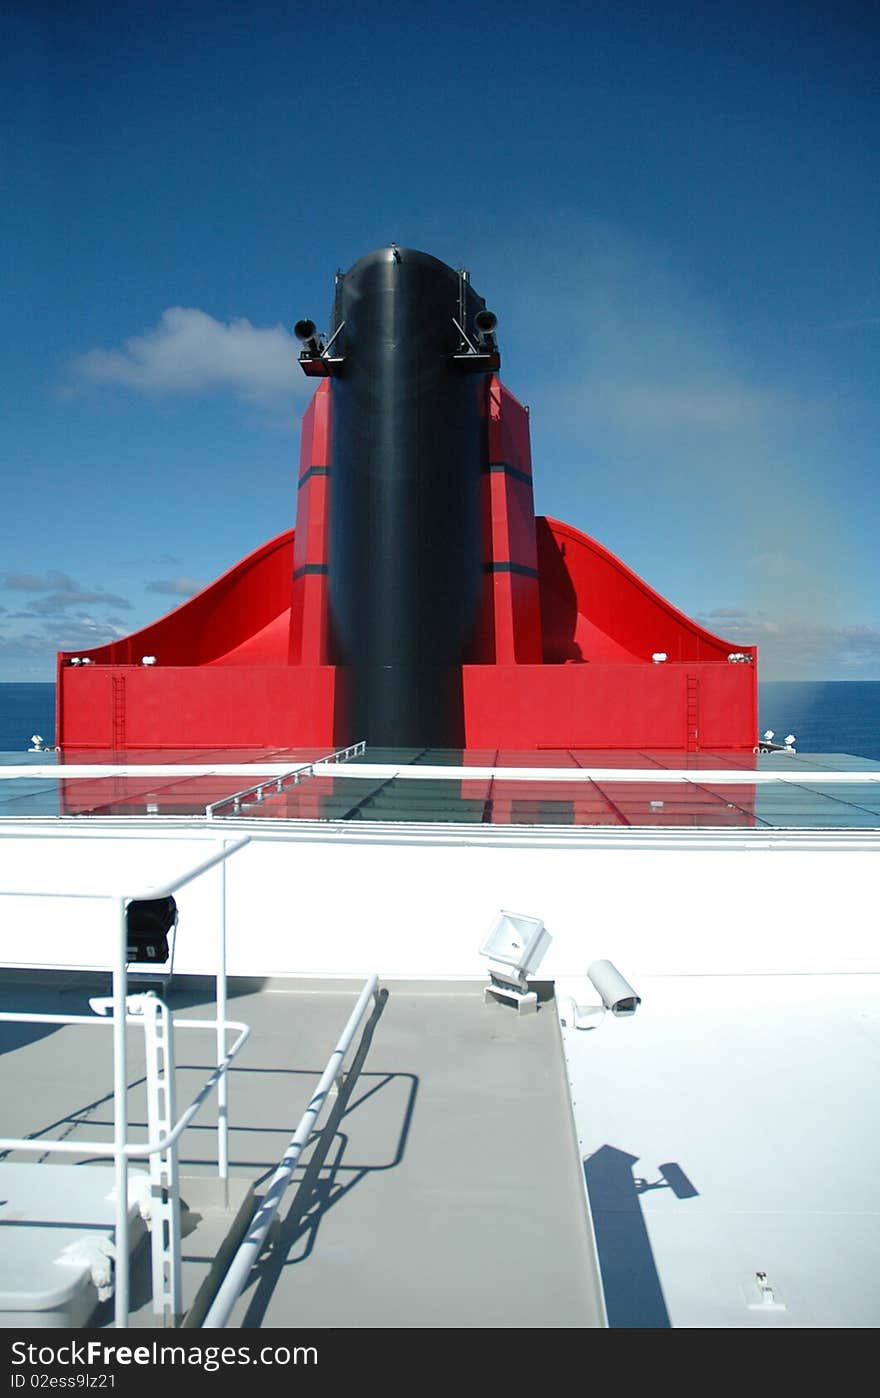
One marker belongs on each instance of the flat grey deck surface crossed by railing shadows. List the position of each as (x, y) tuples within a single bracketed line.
[(451, 1193)]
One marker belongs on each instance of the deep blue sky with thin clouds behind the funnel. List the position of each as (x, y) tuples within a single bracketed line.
[(674, 210)]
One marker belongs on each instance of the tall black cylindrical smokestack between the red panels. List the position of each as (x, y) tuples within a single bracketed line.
[(408, 451)]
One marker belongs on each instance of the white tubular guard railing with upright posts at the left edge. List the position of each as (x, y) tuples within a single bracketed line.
[(122, 1151)]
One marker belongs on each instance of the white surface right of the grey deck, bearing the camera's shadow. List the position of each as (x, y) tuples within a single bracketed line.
[(763, 1090)]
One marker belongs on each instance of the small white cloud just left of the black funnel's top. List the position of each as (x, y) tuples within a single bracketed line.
[(191, 353)]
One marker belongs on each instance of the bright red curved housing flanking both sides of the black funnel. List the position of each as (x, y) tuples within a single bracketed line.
[(565, 658)]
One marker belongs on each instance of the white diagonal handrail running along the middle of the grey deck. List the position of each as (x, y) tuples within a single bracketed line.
[(253, 1246)]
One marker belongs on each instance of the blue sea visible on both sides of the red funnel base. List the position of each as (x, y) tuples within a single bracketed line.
[(825, 715)]
